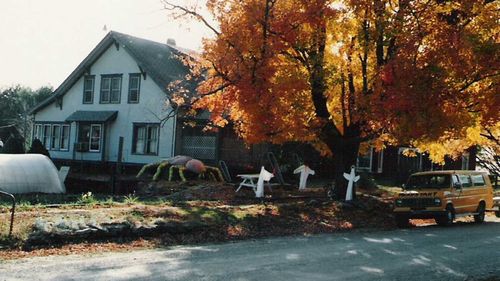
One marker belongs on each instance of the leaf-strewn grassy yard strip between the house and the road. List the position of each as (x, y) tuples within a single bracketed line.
[(54, 224)]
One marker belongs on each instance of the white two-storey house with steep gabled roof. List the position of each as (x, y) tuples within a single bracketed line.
[(118, 90)]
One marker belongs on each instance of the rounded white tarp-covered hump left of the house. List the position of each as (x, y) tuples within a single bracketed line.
[(27, 173)]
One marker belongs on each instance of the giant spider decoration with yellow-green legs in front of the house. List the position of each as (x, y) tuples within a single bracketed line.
[(182, 163)]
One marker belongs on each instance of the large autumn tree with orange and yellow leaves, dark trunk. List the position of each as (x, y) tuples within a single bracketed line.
[(342, 74)]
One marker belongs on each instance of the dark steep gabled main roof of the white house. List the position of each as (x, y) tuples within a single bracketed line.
[(159, 61)]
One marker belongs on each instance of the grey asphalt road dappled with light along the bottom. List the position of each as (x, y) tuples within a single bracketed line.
[(459, 252)]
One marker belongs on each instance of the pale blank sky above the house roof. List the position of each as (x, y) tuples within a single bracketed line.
[(42, 41)]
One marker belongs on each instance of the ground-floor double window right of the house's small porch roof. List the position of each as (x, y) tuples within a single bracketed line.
[(145, 139)]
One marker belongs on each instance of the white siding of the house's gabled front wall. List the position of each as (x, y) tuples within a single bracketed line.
[(150, 107)]
